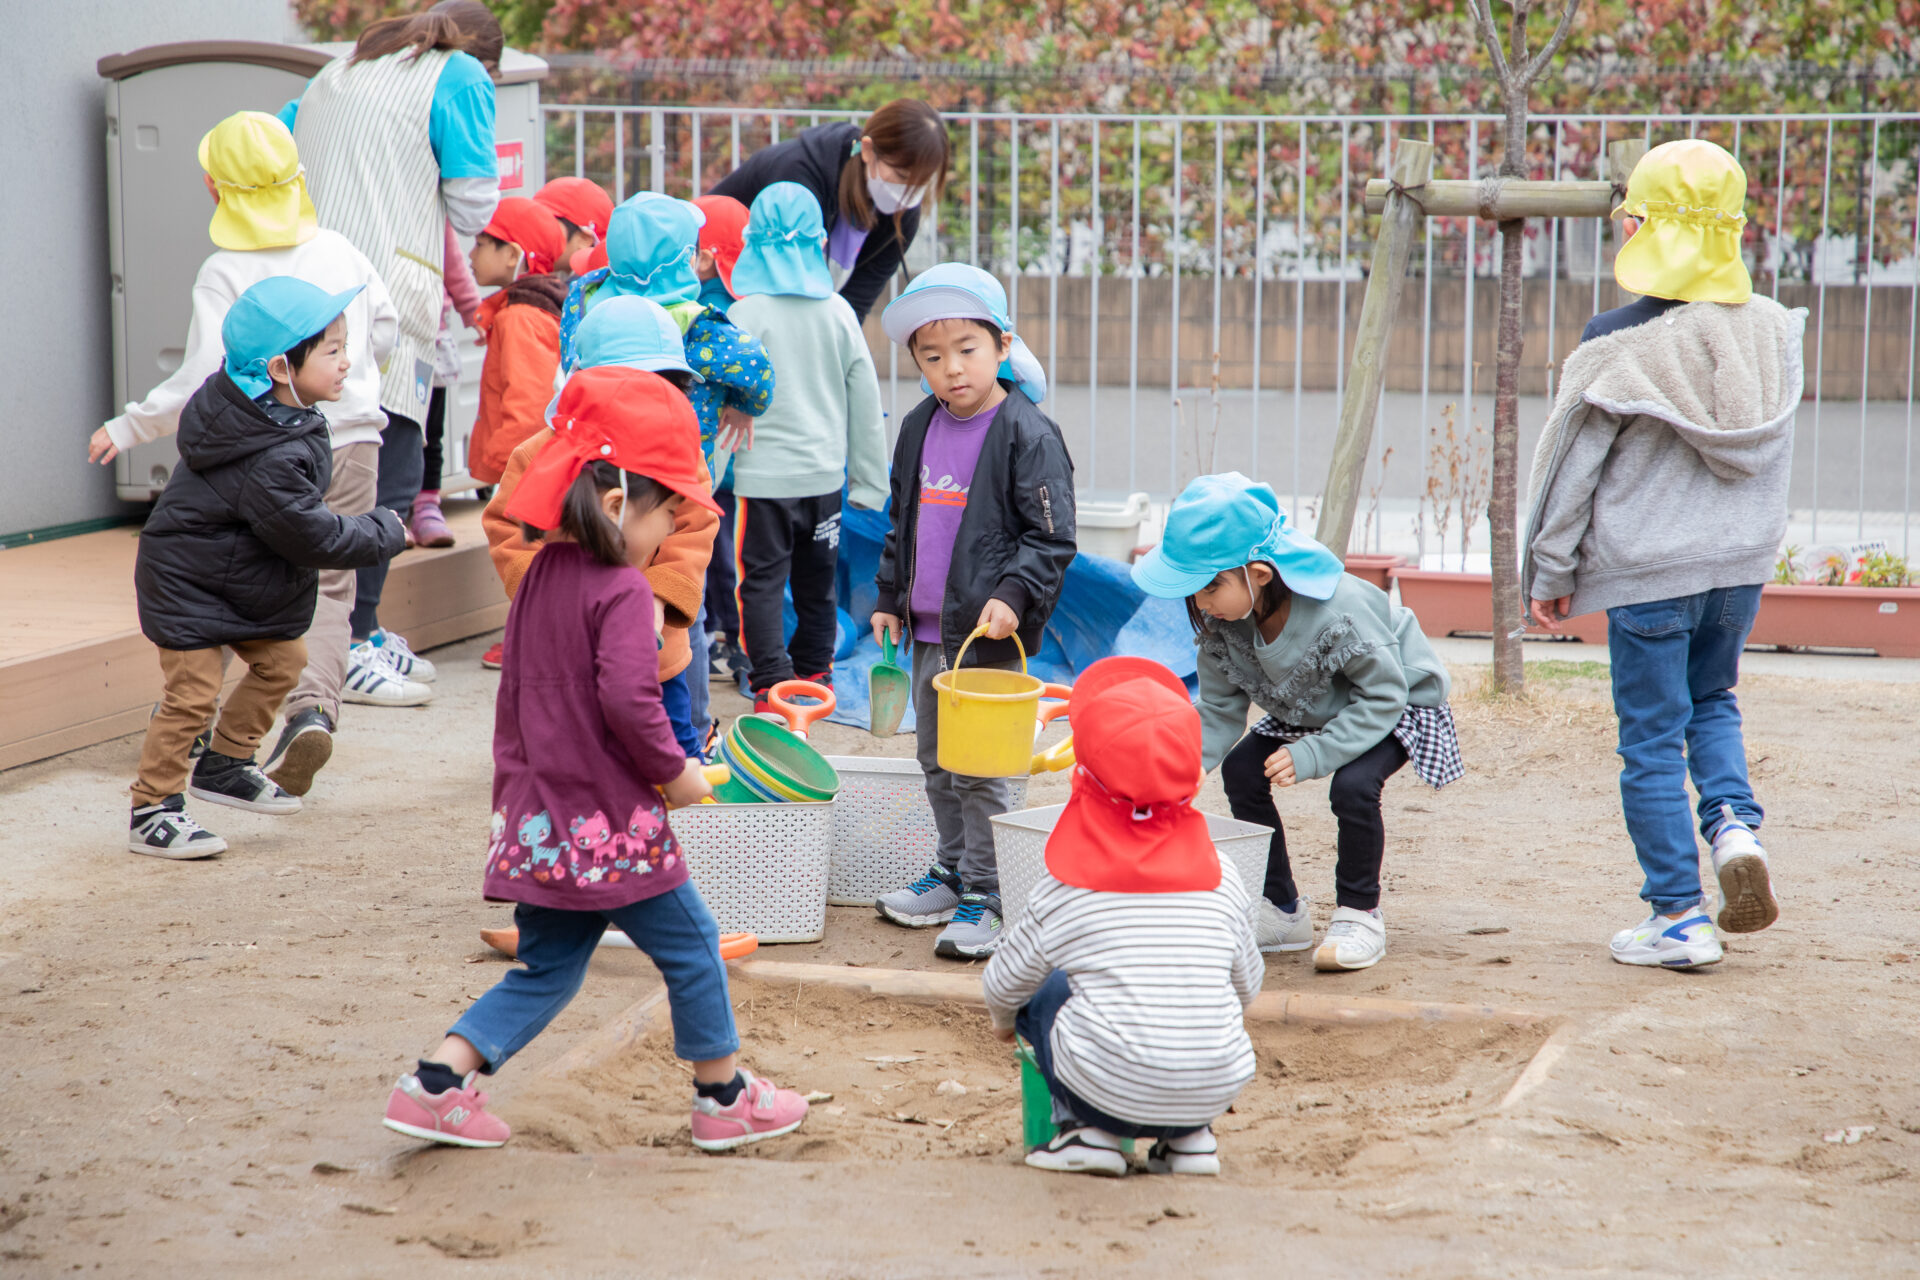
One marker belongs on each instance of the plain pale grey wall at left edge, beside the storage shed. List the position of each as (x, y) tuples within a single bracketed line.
[(57, 358)]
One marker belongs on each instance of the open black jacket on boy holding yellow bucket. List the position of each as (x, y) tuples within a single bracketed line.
[(1017, 533)]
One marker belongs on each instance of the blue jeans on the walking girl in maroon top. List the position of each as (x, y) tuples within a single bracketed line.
[(675, 930)]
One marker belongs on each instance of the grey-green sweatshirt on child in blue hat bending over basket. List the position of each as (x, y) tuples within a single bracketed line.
[(1343, 669)]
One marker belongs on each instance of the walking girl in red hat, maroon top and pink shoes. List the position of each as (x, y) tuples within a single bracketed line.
[(581, 749)]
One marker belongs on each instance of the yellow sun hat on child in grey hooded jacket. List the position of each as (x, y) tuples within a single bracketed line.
[(1691, 202)]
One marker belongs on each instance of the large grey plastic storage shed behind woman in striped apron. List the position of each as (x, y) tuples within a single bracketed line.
[(160, 103)]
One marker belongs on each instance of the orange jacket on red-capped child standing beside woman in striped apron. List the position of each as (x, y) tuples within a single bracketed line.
[(523, 354)]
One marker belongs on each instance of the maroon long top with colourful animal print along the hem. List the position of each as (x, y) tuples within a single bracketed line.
[(581, 742)]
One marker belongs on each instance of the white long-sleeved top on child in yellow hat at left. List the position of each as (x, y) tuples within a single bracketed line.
[(327, 262)]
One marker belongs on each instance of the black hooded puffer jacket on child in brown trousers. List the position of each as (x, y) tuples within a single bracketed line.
[(241, 529)]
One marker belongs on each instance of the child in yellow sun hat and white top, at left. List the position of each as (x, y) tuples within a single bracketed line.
[(264, 225)]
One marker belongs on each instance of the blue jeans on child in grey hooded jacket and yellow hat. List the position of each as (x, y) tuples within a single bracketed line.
[(1675, 665)]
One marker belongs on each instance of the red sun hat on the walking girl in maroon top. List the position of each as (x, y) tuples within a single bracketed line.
[(638, 421)]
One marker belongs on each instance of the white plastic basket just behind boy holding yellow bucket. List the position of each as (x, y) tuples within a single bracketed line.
[(884, 828)]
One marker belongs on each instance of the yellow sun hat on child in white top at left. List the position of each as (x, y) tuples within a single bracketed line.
[(264, 187)]
